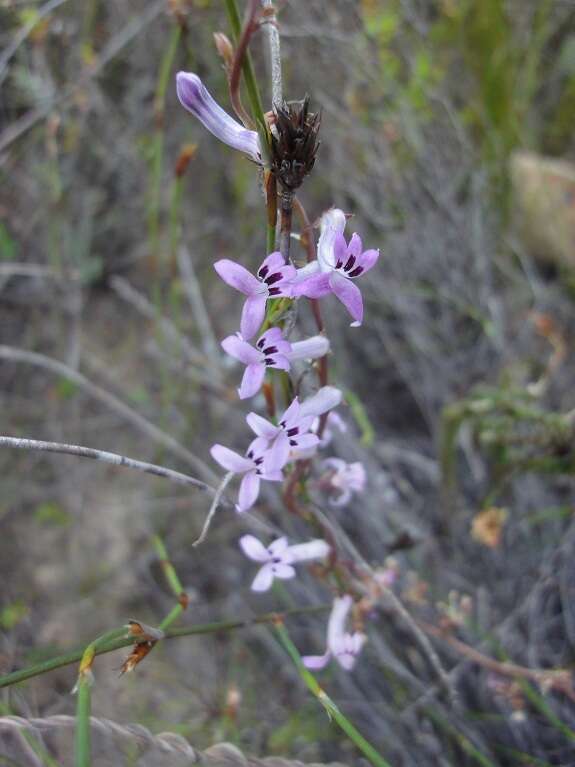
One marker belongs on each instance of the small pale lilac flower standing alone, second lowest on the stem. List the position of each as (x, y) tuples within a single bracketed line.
[(278, 558)]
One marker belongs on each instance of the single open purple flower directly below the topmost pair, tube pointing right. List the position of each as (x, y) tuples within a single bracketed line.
[(271, 351)]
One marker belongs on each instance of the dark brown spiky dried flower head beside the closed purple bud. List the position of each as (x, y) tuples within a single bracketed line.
[(294, 142)]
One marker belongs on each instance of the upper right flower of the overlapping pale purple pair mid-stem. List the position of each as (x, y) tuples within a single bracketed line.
[(293, 430)]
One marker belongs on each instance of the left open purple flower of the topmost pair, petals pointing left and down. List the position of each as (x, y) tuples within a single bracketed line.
[(274, 278)]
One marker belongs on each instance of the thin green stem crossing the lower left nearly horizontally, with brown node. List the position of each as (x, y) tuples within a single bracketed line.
[(116, 644)]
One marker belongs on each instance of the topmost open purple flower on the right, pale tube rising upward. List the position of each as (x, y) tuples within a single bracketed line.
[(337, 264)]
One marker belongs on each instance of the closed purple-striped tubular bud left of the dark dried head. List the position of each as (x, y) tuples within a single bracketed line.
[(195, 97)]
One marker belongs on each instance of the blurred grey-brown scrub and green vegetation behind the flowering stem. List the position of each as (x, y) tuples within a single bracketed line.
[(447, 130)]
